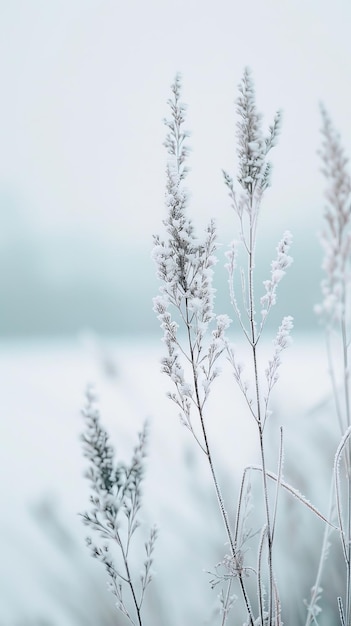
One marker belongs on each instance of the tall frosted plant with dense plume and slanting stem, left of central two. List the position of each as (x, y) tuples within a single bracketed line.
[(184, 265)]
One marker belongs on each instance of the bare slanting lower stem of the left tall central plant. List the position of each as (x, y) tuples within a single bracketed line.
[(213, 473)]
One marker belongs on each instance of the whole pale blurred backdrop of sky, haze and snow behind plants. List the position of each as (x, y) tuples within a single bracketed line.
[(84, 86)]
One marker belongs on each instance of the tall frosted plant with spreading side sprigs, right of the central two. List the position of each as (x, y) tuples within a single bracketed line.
[(254, 178)]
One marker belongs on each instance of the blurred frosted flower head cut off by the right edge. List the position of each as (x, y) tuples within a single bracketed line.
[(336, 236)]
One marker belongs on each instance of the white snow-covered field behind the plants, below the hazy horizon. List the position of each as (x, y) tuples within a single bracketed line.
[(47, 576)]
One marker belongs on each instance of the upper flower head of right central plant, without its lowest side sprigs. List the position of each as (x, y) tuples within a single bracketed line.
[(253, 176)]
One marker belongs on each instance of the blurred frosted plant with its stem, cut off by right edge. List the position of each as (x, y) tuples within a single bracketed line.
[(335, 314)]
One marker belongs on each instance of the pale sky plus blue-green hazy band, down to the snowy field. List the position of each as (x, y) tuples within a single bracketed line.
[(82, 166)]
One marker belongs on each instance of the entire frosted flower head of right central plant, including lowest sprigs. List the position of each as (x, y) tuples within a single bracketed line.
[(254, 179)]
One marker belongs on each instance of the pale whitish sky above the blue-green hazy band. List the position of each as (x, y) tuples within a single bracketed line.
[(84, 90)]
